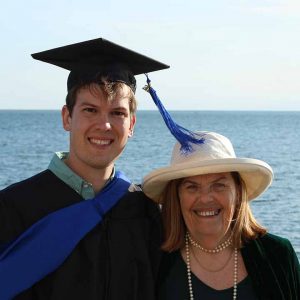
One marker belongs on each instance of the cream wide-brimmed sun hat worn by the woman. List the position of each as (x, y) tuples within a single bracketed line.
[(215, 155)]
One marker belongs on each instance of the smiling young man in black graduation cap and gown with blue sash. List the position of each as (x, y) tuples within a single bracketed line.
[(117, 258)]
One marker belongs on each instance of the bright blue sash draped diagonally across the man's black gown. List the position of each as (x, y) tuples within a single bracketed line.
[(43, 247)]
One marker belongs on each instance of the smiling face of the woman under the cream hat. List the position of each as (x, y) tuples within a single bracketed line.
[(207, 204)]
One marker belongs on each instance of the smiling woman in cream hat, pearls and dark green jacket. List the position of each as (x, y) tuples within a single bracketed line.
[(215, 249)]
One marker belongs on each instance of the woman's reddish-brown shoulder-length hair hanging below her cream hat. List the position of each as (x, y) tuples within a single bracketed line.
[(244, 227)]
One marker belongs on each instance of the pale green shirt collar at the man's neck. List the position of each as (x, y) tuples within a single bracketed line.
[(63, 172)]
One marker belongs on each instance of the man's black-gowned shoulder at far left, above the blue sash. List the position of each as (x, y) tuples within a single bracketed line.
[(27, 201)]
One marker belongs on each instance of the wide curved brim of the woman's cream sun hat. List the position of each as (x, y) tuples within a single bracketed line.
[(256, 174)]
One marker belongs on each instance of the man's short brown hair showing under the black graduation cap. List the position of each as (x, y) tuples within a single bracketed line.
[(109, 89)]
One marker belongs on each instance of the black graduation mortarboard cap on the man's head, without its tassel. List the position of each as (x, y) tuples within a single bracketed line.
[(92, 59)]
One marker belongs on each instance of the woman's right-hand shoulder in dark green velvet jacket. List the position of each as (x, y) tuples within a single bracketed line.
[(272, 263)]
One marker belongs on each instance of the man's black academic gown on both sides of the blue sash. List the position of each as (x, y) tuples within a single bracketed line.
[(117, 260)]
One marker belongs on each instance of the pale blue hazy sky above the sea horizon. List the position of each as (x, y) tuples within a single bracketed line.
[(223, 54)]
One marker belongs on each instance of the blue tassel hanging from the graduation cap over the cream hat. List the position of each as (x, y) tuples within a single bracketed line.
[(184, 136)]
